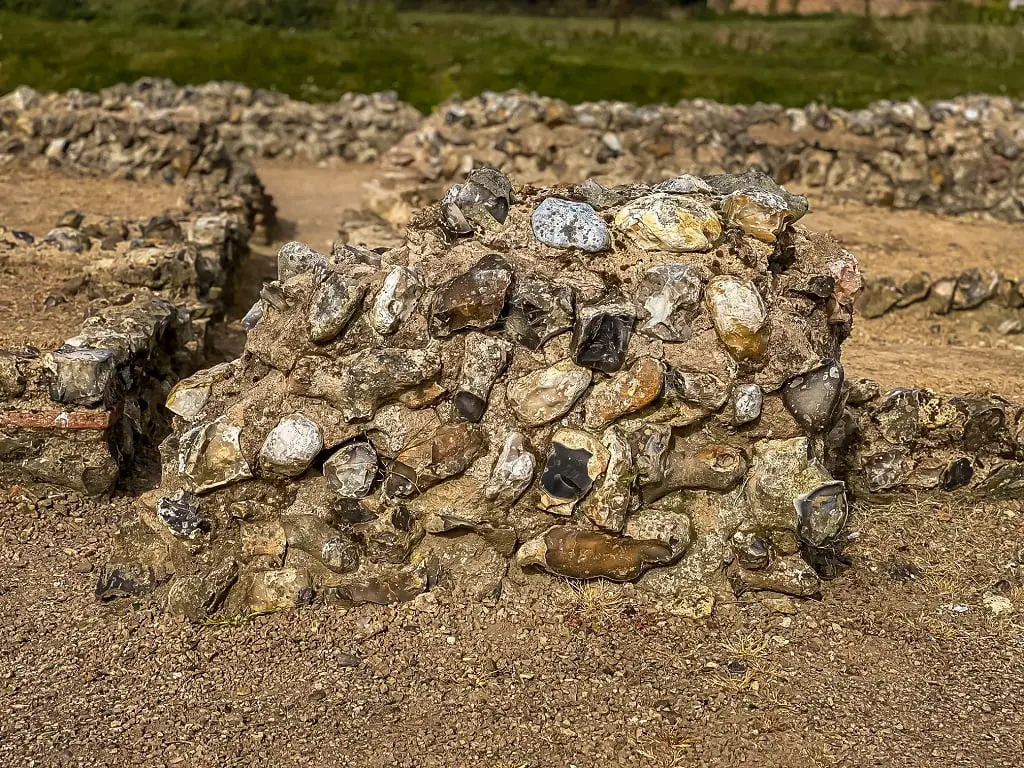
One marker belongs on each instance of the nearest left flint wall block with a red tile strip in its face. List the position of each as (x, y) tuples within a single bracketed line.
[(71, 417)]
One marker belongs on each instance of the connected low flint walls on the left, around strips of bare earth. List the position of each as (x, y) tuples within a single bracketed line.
[(73, 416)]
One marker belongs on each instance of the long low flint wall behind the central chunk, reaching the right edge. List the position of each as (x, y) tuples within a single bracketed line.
[(961, 156)]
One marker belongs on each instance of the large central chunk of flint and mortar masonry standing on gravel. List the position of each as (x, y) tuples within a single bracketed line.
[(634, 383)]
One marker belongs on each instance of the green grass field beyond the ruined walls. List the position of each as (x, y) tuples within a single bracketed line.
[(430, 57)]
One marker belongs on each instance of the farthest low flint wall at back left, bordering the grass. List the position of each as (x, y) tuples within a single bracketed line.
[(255, 123)]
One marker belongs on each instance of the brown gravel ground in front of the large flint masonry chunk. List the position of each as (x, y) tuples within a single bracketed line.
[(901, 664)]
